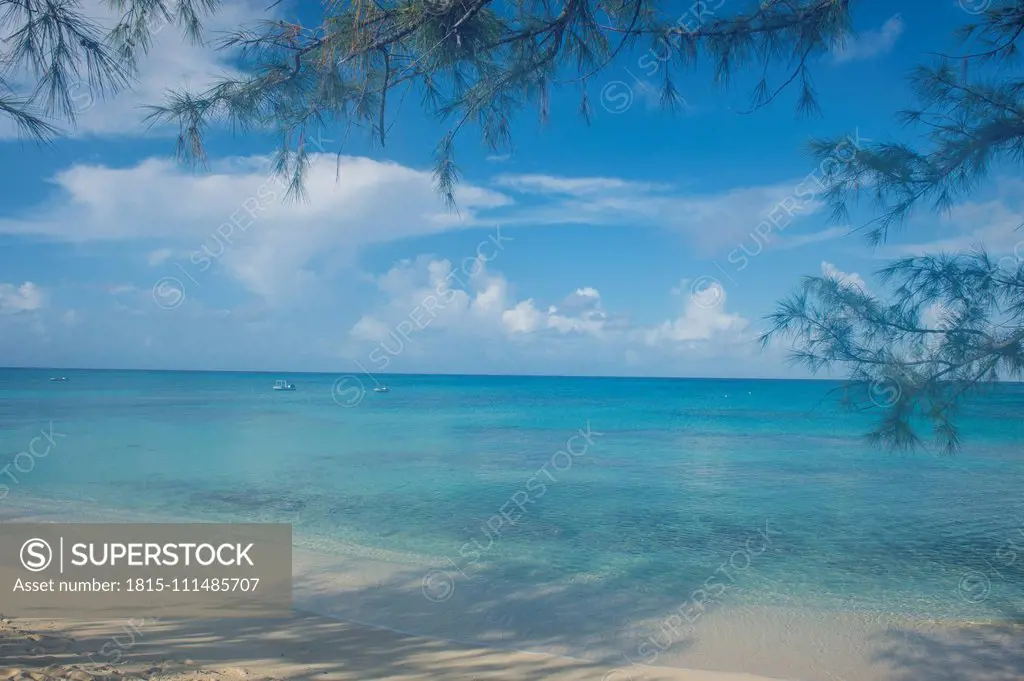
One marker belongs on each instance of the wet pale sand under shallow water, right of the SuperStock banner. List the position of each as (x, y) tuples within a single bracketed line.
[(795, 644)]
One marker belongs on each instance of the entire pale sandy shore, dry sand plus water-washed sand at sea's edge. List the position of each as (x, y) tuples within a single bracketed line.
[(342, 601)]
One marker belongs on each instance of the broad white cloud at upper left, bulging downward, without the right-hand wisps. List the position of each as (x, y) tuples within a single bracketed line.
[(237, 217)]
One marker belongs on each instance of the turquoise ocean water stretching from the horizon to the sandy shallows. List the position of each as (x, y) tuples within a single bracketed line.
[(764, 493)]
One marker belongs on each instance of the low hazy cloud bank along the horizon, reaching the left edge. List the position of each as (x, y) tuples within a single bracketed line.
[(423, 315)]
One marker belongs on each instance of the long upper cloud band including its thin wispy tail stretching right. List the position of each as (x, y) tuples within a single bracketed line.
[(237, 220)]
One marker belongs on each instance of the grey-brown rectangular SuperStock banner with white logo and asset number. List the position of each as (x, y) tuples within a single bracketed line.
[(104, 571)]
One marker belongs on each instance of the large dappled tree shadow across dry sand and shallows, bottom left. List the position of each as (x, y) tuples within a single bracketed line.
[(311, 647)]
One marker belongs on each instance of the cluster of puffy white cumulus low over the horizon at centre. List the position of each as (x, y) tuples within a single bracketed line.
[(424, 304)]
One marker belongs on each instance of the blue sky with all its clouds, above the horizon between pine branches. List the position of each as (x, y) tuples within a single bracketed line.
[(647, 243)]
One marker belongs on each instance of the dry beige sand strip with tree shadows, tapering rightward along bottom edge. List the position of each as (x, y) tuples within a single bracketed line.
[(306, 647)]
